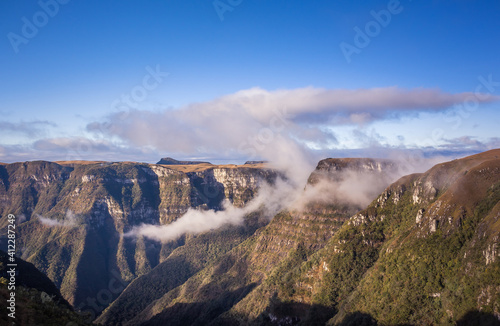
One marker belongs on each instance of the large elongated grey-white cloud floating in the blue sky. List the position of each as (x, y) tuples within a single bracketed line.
[(237, 121)]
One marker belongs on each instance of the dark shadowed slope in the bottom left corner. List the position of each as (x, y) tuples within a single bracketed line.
[(38, 301)]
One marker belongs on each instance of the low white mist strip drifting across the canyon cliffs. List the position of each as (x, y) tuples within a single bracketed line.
[(349, 187)]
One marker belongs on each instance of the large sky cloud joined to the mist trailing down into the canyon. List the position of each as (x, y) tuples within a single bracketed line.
[(278, 126)]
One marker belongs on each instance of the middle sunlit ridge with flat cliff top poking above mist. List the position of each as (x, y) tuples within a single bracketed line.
[(239, 285)]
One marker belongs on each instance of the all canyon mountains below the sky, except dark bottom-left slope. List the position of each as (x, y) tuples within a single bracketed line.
[(424, 251)]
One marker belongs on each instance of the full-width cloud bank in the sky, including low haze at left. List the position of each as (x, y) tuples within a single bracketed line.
[(251, 124)]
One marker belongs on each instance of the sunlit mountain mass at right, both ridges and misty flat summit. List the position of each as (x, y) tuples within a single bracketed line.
[(423, 252)]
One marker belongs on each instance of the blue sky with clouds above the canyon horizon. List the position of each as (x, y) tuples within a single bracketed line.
[(220, 78)]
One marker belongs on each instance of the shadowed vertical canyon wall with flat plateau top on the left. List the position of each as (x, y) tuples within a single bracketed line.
[(70, 217)]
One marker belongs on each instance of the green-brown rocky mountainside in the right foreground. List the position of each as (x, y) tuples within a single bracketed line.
[(421, 253)]
